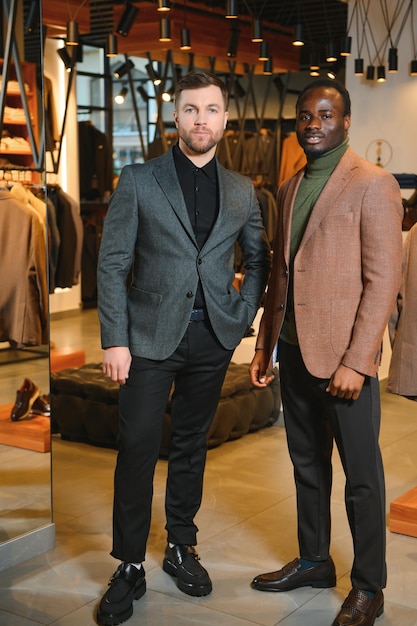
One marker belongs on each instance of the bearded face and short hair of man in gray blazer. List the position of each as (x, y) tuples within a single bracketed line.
[(200, 118)]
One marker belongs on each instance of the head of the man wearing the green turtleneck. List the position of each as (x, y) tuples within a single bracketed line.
[(321, 124)]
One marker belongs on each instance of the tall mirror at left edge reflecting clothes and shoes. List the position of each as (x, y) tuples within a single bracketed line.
[(25, 233)]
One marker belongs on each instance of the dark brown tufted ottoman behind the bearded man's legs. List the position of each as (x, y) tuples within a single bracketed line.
[(84, 407)]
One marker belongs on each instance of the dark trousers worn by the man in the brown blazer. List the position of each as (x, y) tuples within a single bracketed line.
[(313, 420)]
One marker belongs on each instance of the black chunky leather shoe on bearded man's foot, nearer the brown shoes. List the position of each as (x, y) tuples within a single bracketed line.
[(183, 563)]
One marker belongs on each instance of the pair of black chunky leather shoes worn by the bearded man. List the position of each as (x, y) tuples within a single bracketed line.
[(128, 584)]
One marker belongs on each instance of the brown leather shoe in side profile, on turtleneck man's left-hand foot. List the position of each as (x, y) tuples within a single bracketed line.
[(290, 577)]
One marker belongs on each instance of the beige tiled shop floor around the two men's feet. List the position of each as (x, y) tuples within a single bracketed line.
[(247, 526)]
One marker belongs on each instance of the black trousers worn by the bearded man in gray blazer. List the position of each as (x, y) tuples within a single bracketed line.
[(197, 368)]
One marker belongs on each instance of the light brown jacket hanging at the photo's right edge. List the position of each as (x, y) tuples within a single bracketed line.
[(402, 376)]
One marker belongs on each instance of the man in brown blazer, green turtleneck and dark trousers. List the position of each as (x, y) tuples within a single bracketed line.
[(336, 273)]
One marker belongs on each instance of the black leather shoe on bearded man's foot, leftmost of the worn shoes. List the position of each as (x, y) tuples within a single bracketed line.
[(127, 584)]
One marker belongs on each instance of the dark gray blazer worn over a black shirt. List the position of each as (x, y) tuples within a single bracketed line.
[(147, 231)]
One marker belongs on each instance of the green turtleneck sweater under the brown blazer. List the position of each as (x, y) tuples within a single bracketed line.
[(315, 178)]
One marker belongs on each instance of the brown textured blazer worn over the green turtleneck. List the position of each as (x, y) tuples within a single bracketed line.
[(347, 270)]
